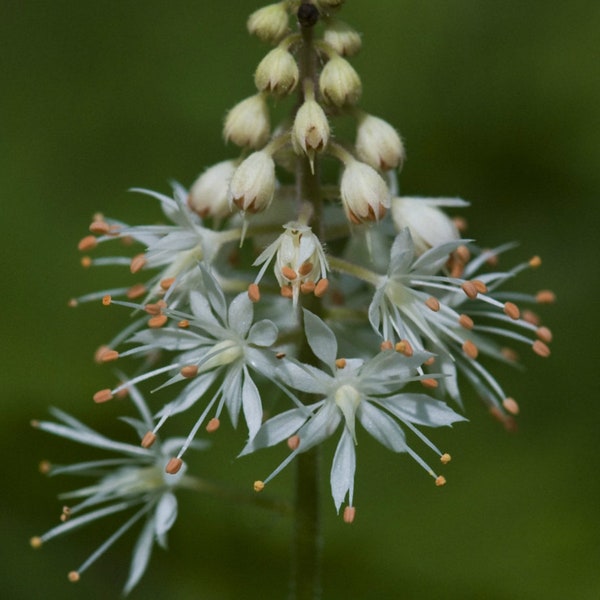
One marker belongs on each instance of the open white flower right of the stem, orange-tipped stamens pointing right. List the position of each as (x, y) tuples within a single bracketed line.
[(457, 318)]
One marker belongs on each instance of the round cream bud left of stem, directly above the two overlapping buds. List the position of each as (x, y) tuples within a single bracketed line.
[(247, 123)]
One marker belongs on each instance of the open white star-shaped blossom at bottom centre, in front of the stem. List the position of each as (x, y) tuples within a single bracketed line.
[(351, 390)]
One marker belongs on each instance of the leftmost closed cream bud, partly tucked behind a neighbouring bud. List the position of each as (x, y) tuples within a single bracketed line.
[(209, 194)]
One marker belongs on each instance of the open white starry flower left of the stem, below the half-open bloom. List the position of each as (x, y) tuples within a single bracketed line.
[(215, 344)]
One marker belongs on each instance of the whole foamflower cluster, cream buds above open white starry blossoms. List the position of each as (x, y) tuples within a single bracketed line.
[(336, 302)]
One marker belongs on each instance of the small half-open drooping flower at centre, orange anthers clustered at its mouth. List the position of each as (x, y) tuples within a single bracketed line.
[(300, 263)]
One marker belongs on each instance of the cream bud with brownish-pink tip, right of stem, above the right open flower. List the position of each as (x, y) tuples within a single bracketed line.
[(364, 193)]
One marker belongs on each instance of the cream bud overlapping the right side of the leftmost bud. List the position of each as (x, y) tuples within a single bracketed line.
[(253, 183)]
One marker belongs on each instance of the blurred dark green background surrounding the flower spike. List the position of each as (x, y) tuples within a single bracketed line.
[(498, 102)]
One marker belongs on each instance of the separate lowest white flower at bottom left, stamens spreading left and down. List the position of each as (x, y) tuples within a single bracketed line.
[(134, 481)]
